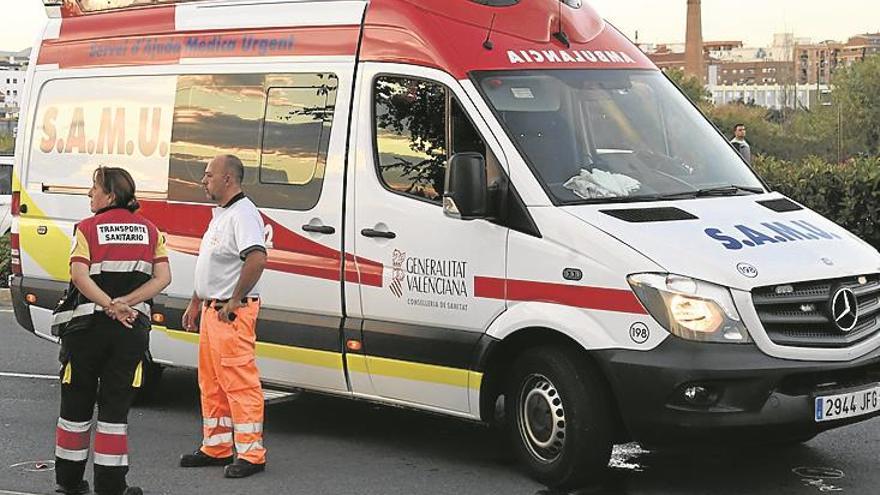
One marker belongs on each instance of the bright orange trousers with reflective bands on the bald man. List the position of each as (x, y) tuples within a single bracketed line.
[(232, 398)]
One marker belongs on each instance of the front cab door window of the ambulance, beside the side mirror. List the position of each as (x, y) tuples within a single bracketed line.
[(419, 125)]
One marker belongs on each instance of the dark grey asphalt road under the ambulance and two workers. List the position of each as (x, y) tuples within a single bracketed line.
[(321, 445)]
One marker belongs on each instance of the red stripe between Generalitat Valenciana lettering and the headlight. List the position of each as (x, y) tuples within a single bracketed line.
[(621, 301)]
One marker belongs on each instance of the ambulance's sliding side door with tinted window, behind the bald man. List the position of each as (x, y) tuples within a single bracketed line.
[(288, 128)]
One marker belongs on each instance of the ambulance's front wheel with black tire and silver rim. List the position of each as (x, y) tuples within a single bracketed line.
[(559, 417)]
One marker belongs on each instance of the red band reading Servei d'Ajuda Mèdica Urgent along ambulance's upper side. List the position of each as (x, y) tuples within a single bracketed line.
[(170, 48)]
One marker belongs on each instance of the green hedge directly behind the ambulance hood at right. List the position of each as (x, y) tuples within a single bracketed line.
[(846, 193)]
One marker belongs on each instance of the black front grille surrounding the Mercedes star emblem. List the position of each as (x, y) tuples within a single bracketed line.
[(799, 315)]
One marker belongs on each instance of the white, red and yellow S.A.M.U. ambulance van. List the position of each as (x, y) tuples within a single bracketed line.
[(498, 210)]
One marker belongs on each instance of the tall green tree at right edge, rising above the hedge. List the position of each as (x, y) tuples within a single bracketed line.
[(855, 91)]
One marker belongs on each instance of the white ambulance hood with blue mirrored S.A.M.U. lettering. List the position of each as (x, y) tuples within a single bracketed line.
[(740, 242)]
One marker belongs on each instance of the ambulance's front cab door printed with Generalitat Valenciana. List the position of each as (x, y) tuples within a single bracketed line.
[(422, 317)]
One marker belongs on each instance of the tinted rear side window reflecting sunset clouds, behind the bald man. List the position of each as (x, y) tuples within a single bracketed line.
[(277, 124)]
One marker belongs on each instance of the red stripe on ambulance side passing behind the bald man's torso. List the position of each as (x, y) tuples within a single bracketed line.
[(185, 224)]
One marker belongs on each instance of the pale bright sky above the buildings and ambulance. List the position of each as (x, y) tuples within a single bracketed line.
[(657, 21)]
